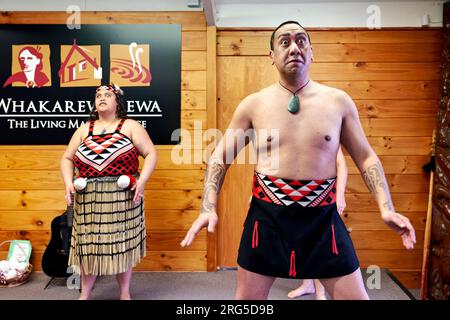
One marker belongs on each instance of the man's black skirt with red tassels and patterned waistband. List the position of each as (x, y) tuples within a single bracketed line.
[(293, 230)]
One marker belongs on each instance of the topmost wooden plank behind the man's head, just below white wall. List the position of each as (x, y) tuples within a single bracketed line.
[(418, 35)]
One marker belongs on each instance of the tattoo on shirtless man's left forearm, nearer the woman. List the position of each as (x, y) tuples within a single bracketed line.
[(215, 173)]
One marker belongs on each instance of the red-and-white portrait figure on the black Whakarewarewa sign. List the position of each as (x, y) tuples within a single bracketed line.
[(32, 76)]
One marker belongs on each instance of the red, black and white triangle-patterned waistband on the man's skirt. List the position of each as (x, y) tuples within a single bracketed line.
[(284, 192)]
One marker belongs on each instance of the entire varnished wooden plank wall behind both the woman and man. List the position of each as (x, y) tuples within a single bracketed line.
[(393, 76)]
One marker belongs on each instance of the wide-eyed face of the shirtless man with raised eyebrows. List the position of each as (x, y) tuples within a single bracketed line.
[(292, 52)]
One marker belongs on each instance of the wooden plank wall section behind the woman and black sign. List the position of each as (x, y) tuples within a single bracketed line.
[(31, 187)]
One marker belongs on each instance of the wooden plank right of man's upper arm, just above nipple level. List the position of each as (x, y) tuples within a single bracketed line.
[(410, 127)]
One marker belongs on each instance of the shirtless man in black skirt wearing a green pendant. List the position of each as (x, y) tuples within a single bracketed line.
[(293, 229)]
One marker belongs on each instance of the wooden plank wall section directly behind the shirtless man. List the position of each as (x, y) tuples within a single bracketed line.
[(393, 77)]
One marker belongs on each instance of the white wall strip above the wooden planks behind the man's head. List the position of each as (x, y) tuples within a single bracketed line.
[(330, 14)]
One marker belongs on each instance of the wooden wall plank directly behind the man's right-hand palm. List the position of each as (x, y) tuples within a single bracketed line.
[(371, 221)]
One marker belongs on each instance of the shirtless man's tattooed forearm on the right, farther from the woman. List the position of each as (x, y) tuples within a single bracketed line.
[(376, 182)]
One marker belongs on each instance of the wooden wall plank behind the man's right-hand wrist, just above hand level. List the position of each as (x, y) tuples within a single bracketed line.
[(402, 202)]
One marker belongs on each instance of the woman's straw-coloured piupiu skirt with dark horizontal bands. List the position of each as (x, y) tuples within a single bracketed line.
[(108, 231)]
